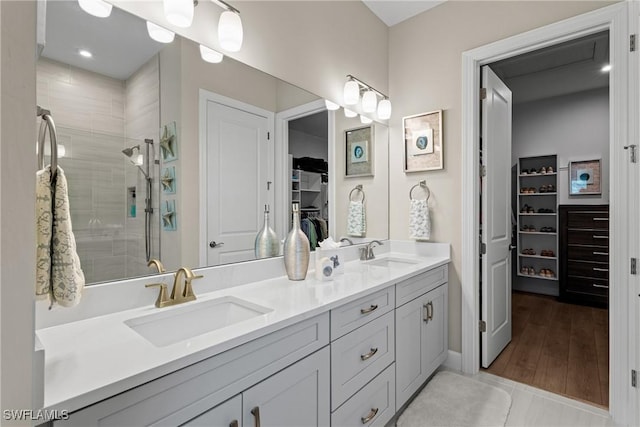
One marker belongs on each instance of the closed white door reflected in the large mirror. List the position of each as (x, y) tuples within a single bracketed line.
[(238, 180)]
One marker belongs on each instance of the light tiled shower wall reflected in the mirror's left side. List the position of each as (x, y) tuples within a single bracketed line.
[(90, 113)]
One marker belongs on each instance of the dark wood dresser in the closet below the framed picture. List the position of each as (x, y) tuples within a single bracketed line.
[(584, 253)]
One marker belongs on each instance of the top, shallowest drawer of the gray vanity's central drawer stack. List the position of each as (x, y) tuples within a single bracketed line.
[(350, 316)]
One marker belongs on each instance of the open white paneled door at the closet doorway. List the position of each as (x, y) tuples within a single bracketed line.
[(496, 216)]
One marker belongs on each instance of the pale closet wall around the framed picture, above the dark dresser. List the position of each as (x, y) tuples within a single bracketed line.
[(575, 127)]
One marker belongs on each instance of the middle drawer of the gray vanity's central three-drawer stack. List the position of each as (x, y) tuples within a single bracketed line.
[(359, 356)]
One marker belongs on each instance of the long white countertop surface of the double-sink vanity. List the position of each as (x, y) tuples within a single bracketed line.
[(92, 359)]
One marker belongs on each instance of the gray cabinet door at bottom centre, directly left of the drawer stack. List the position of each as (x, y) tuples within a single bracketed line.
[(298, 396)]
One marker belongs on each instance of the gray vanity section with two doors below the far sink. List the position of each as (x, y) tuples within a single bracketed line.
[(421, 337)]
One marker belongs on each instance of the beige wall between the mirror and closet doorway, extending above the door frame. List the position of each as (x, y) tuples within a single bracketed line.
[(425, 74)]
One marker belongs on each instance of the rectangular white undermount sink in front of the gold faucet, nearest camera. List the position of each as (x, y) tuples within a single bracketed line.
[(173, 325)]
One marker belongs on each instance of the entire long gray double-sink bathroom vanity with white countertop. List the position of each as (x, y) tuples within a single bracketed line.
[(351, 351)]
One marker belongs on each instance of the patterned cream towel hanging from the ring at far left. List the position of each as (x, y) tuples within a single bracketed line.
[(61, 276)]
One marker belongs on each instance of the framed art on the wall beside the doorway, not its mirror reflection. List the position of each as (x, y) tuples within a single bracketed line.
[(423, 142)]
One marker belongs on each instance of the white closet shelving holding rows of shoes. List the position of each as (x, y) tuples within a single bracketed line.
[(538, 217)]
